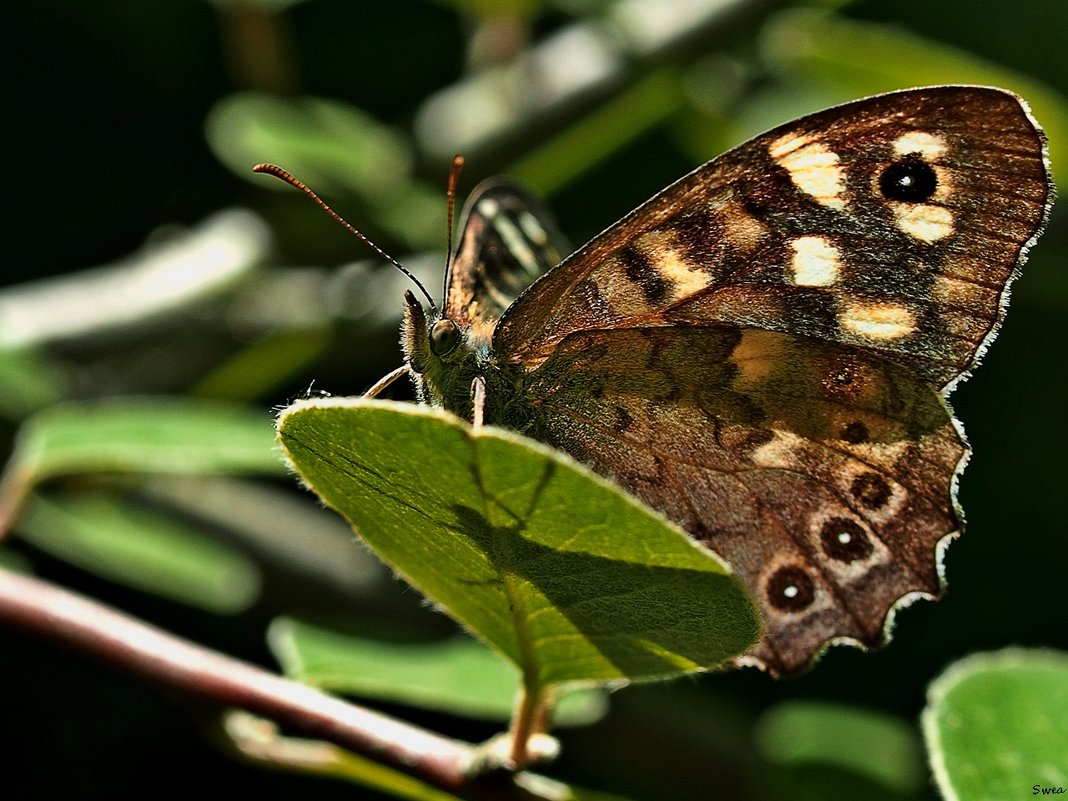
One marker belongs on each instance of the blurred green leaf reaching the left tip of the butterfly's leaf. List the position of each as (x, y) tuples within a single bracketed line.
[(146, 435)]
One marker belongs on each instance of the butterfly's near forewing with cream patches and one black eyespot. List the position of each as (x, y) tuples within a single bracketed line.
[(892, 224)]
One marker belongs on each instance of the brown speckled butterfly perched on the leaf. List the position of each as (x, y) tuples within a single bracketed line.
[(763, 352)]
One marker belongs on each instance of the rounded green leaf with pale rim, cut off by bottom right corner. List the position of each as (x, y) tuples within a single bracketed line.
[(997, 726)]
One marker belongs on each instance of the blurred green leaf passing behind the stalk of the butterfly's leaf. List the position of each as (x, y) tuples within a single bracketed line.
[(460, 677)]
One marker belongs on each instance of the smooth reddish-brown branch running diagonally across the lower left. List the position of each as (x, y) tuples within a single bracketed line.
[(46, 610)]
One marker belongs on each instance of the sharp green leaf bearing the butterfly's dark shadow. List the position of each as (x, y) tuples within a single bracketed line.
[(559, 571)]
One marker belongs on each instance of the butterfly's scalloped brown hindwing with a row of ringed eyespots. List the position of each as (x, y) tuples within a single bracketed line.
[(736, 435)]
